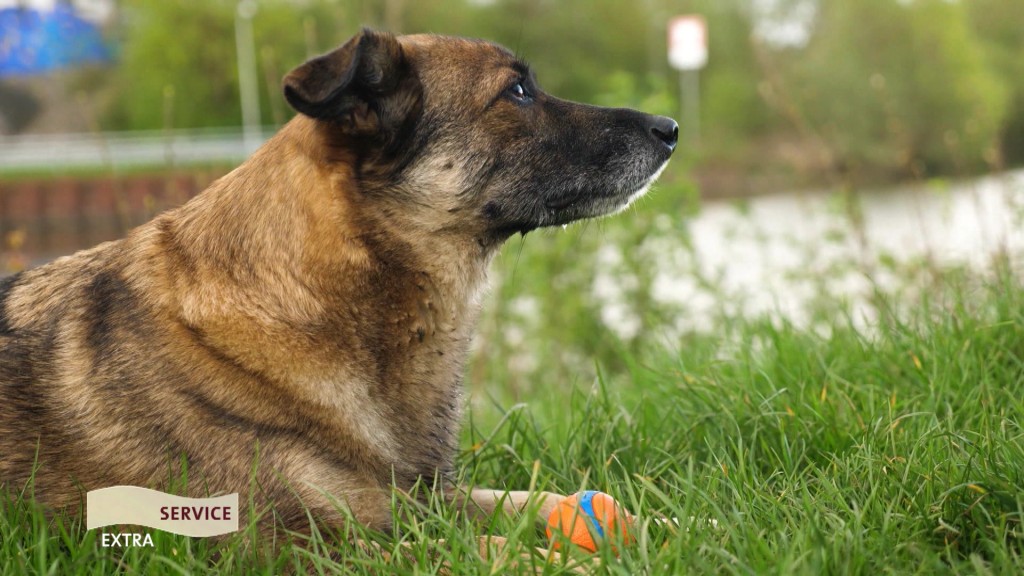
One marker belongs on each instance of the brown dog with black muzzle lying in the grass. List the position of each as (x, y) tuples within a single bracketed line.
[(313, 310)]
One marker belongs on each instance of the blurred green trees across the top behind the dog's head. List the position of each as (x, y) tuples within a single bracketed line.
[(887, 88)]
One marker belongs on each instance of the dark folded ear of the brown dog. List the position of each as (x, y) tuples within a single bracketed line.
[(350, 83)]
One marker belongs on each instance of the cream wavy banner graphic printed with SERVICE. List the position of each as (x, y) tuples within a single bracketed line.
[(142, 507)]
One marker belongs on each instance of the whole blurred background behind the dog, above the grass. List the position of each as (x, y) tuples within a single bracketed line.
[(836, 153)]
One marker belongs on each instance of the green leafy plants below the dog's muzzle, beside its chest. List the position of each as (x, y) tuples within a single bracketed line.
[(599, 307)]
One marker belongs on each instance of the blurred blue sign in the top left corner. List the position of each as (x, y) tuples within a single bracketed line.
[(36, 42)]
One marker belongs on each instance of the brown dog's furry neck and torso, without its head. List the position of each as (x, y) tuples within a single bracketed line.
[(231, 335)]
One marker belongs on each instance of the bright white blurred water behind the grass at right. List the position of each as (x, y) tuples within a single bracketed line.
[(780, 255)]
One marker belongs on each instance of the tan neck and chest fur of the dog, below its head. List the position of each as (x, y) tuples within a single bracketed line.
[(323, 265)]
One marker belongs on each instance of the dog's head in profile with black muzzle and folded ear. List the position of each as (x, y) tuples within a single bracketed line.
[(460, 132)]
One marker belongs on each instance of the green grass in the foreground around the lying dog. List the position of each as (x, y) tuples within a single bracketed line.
[(898, 454)]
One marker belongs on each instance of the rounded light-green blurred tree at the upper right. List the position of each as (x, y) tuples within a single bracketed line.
[(897, 87)]
